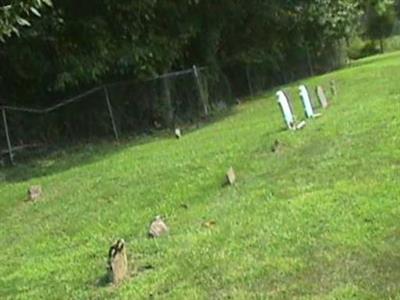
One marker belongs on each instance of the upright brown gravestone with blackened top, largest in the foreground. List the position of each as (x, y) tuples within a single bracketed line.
[(117, 262)]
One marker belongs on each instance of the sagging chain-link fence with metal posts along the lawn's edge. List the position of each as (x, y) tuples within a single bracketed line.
[(167, 101)]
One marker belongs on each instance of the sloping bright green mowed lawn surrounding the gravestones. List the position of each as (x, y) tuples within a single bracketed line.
[(317, 219)]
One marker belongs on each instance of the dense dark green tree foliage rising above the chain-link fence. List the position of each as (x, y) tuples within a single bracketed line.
[(83, 43)]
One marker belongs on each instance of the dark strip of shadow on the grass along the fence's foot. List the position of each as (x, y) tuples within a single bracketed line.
[(56, 159)]
